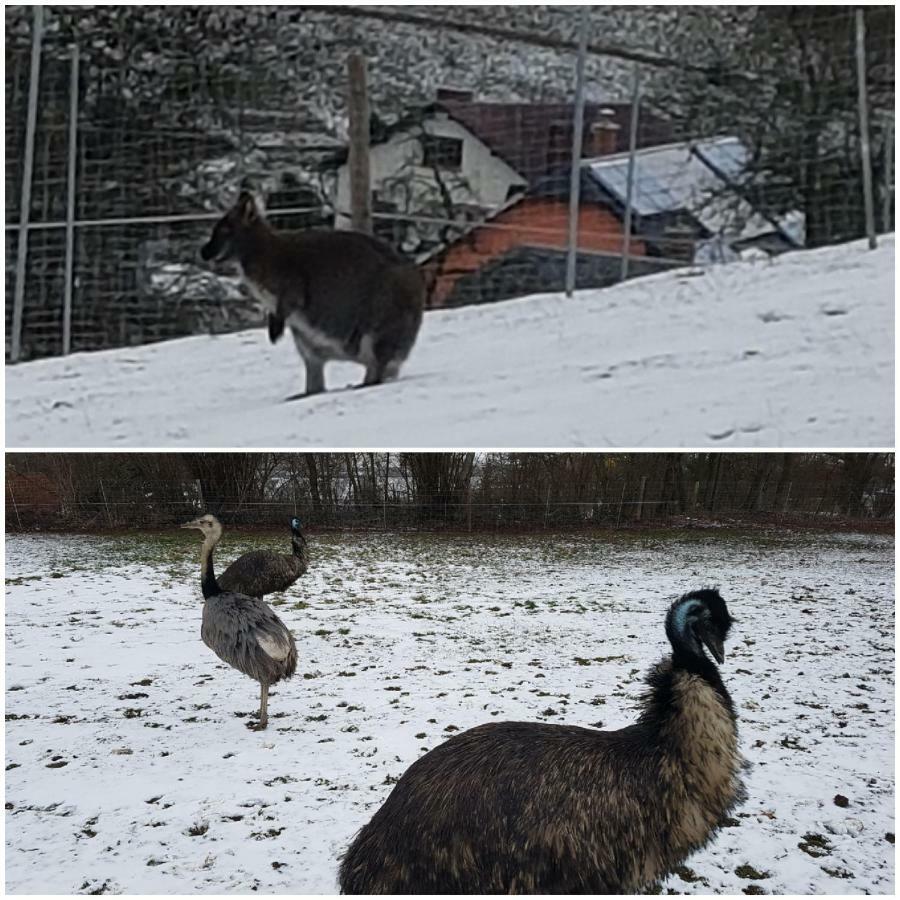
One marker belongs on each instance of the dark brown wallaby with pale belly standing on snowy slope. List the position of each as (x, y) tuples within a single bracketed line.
[(343, 294)]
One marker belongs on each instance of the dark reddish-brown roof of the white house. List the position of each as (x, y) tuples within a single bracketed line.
[(534, 139)]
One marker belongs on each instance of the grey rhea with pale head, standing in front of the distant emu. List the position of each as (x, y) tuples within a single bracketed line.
[(242, 631)]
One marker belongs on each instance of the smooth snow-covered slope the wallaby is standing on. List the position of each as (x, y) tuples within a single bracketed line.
[(793, 352)]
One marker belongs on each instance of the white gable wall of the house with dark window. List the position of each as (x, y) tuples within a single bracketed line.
[(487, 177)]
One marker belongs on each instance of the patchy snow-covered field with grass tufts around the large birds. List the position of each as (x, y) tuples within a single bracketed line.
[(129, 766)]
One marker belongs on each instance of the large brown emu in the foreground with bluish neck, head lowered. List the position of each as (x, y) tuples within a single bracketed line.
[(523, 807)]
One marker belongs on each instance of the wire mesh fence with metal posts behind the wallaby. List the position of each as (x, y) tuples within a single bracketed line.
[(512, 150)]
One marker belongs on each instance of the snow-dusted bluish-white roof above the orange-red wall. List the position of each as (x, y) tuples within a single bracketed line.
[(697, 177)]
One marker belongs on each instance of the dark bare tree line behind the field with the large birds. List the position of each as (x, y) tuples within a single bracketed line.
[(457, 491)]
